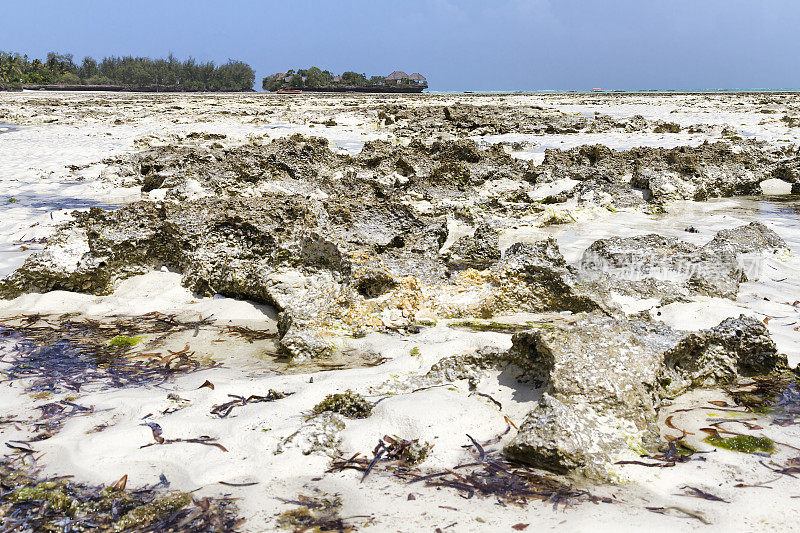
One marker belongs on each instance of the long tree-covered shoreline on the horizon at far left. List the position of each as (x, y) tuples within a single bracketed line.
[(60, 72)]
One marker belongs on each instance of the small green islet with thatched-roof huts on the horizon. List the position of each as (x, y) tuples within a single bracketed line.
[(316, 79)]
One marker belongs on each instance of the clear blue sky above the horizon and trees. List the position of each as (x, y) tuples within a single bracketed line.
[(477, 45)]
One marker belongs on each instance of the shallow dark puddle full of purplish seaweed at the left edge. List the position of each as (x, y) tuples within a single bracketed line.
[(56, 353)]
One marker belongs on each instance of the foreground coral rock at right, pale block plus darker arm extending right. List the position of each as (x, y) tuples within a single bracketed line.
[(603, 381)]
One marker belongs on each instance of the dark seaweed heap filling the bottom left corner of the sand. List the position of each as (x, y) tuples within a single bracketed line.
[(31, 502)]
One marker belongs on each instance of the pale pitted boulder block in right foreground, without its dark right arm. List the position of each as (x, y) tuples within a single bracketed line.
[(599, 400)]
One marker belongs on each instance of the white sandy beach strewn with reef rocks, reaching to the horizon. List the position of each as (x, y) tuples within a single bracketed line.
[(406, 260)]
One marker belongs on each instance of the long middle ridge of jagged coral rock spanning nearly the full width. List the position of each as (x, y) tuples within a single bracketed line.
[(355, 265)]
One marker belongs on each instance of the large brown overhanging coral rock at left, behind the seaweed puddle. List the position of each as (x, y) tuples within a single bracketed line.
[(283, 251)]
